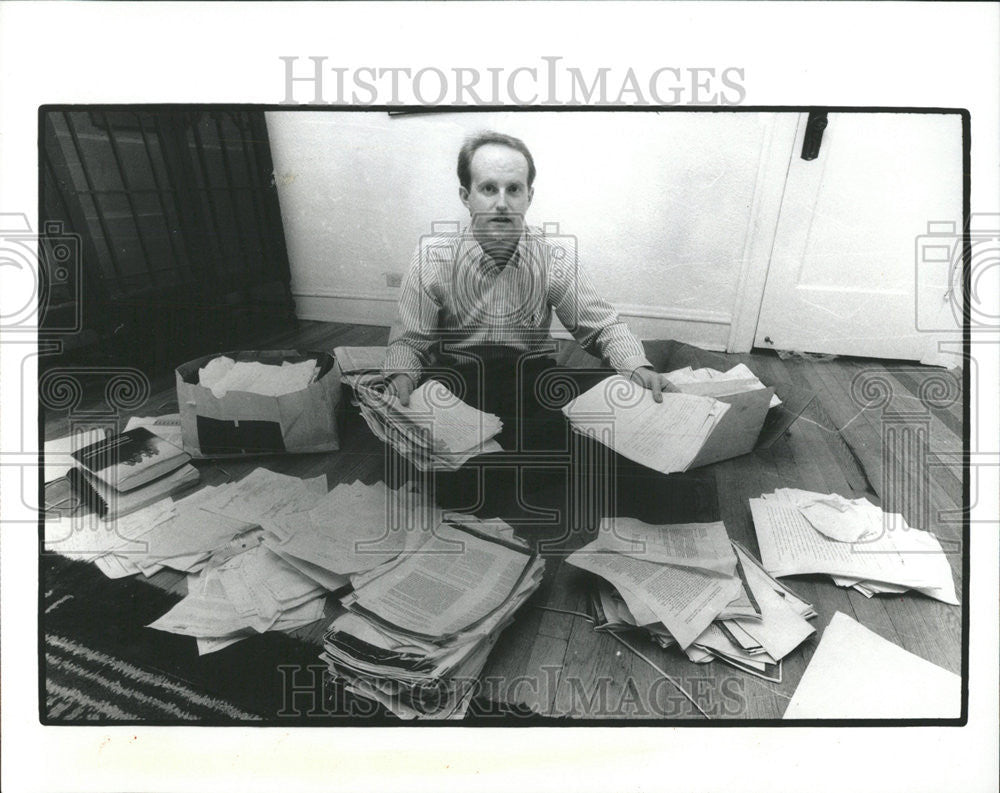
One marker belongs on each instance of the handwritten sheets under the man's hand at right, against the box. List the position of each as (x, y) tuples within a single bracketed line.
[(665, 436)]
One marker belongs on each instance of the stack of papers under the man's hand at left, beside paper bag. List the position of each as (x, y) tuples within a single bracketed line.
[(436, 431)]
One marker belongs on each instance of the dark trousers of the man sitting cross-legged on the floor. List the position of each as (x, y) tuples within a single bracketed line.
[(547, 474)]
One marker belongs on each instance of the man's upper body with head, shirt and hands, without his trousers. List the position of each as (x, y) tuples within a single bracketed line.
[(488, 303)]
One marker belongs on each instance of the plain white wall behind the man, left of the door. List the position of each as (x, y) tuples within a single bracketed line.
[(660, 204)]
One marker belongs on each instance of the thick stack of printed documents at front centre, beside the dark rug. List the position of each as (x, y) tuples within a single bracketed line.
[(416, 631)]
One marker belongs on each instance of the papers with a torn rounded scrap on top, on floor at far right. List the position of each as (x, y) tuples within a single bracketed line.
[(851, 540)]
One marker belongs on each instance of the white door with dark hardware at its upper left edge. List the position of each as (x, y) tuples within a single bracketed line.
[(849, 250)]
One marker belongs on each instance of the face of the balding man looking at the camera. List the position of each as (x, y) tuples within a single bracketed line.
[(498, 196)]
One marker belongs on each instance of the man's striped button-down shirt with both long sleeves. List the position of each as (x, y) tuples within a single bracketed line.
[(455, 298)]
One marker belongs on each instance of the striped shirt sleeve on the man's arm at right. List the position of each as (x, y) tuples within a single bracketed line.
[(593, 321)]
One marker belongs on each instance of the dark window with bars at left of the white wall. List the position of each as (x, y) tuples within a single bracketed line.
[(181, 248)]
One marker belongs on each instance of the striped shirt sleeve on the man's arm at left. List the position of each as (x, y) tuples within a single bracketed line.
[(413, 334)]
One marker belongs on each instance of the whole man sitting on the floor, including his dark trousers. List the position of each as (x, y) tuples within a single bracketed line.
[(479, 304)]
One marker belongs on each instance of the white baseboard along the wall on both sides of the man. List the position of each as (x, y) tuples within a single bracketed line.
[(706, 329)]
